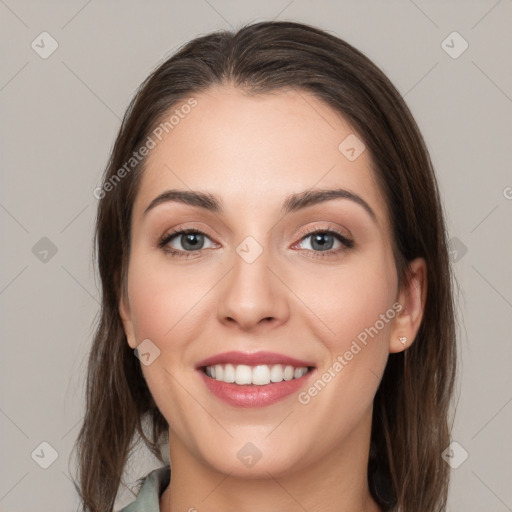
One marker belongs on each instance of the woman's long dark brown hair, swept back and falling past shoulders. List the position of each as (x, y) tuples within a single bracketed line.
[(411, 425)]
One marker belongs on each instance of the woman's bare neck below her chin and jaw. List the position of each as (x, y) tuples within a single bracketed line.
[(337, 482)]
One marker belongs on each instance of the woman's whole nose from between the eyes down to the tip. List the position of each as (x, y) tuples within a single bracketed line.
[(251, 292)]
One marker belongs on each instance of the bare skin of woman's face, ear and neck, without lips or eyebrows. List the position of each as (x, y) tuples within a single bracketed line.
[(253, 152)]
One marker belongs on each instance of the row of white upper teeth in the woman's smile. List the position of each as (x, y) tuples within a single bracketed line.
[(259, 375)]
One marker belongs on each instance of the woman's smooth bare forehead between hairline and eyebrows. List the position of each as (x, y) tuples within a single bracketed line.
[(253, 150)]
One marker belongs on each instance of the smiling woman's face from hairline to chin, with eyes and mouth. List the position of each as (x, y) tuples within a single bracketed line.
[(252, 279)]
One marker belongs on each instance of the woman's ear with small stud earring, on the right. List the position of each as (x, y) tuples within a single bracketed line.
[(412, 298)]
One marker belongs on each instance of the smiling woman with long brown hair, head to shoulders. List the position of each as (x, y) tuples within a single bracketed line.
[(272, 248)]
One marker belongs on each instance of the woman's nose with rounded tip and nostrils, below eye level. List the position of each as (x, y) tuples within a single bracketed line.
[(253, 296)]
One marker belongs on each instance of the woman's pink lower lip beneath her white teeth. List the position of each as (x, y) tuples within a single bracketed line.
[(253, 395)]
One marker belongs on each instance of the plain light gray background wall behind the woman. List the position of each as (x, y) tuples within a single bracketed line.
[(59, 117)]
